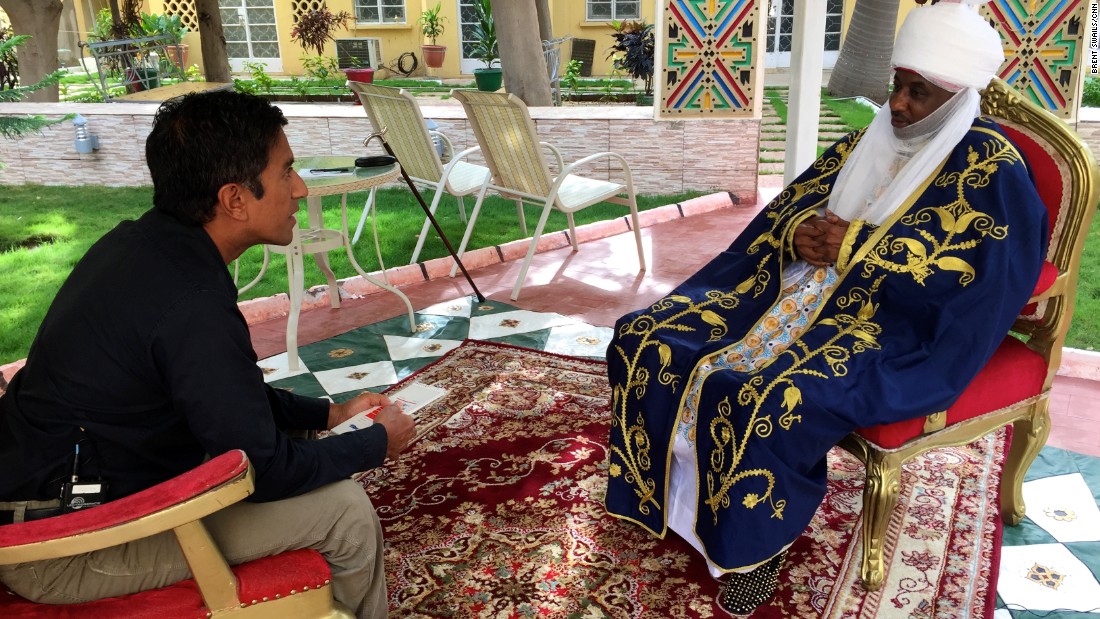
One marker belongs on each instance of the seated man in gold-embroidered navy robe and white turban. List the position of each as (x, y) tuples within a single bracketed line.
[(872, 291)]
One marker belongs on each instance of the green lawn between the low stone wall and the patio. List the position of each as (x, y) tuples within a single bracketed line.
[(46, 230)]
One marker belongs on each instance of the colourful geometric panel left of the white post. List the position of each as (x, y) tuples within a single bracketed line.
[(710, 69)]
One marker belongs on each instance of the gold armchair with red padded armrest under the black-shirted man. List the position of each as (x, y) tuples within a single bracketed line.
[(294, 584)]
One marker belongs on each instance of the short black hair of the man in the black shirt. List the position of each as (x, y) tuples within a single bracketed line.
[(202, 142)]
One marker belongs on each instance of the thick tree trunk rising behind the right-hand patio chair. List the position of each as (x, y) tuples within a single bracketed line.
[(525, 68)]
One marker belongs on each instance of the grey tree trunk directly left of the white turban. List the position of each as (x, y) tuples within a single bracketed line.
[(864, 65)]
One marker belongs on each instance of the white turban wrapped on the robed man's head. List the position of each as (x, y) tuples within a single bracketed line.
[(950, 45)]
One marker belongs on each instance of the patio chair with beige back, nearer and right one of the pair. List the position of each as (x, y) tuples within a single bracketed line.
[(511, 146)]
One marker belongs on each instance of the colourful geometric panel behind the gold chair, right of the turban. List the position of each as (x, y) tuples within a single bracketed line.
[(1044, 48)]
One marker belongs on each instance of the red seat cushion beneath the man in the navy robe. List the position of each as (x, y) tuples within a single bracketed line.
[(1014, 374)]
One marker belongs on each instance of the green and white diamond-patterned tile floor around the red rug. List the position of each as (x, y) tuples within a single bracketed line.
[(1050, 563)]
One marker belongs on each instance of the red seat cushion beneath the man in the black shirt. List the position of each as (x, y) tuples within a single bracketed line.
[(265, 578)]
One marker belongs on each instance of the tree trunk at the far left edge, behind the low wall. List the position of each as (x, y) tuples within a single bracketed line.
[(38, 58)]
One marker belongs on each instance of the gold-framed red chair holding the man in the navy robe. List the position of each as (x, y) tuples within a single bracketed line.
[(1015, 386)]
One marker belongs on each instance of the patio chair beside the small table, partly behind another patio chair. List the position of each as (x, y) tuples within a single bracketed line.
[(408, 134)]
